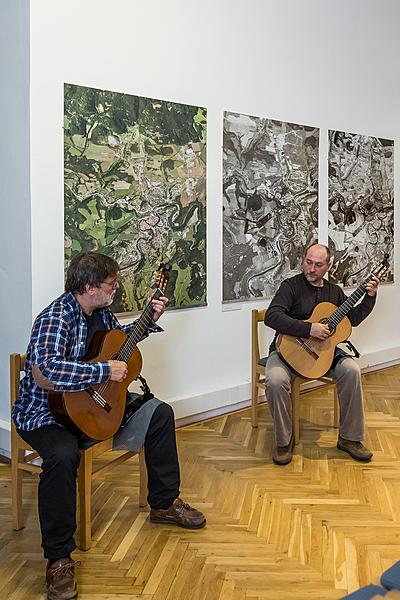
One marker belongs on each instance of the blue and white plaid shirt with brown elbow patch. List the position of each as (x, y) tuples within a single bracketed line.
[(56, 347)]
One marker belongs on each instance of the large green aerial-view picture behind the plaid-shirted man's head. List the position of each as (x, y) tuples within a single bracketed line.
[(135, 189)]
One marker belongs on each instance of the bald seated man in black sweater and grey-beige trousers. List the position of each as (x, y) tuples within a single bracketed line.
[(294, 302)]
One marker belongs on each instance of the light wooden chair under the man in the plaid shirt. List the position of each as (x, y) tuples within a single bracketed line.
[(22, 457)]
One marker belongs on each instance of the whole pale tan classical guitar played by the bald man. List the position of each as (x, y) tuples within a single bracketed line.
[(312, 357)]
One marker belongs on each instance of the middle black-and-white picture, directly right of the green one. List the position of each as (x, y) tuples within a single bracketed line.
[(270, 202)]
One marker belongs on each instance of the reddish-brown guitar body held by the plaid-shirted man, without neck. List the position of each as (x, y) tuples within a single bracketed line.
[(80, 410)]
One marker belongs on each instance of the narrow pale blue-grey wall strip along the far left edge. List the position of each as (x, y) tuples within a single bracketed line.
[(15, 242)]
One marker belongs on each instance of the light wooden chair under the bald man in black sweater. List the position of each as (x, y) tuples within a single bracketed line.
[(258, 380)]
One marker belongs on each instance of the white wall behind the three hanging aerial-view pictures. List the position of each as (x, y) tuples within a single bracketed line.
[(317, 62)]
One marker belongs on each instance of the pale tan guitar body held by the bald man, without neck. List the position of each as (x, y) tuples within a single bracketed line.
[(311, 357)]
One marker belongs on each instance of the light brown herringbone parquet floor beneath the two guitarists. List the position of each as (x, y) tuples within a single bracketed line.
[(317, 528)]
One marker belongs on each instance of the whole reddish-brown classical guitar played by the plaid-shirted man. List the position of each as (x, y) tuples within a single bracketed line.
[(98, 410)]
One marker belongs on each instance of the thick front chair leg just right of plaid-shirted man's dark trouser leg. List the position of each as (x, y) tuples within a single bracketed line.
[(85, 499)]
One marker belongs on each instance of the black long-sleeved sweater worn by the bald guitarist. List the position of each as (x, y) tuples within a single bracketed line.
[(296, 299)]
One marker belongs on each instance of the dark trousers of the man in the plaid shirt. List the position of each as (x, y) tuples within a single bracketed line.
[(59, 450)]
